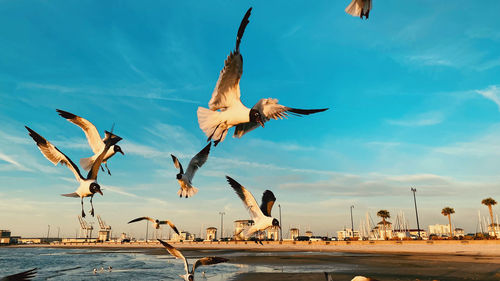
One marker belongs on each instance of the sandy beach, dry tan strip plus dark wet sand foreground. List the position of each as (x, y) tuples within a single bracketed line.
[(383, 260)]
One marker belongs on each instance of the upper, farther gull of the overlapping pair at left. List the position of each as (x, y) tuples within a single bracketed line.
[(94, 139)]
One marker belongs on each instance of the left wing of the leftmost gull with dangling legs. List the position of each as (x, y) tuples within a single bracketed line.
[(53, 154)]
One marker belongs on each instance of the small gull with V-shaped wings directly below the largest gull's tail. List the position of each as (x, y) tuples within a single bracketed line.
[(184, 179)]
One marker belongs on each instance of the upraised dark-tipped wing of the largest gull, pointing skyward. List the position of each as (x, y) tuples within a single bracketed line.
[(227, 89)]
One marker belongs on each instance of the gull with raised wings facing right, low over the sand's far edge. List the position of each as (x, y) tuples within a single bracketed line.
[(261, 216)]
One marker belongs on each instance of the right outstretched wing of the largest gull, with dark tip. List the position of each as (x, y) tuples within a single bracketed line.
[(271, 109)]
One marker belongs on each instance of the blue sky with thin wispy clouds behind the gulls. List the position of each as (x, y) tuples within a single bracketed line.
[(413, 92)]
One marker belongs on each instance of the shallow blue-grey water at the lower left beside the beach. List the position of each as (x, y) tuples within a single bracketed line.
[(78, 264)]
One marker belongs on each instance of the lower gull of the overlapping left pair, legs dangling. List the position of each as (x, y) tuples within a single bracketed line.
[(88, 186)]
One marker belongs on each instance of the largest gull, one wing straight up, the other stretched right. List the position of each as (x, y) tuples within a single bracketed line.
[(225, 107)]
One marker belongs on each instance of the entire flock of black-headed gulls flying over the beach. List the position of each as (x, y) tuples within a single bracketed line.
[(225, 111)]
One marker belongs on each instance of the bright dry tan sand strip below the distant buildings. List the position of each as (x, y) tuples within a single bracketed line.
[(454, 247)]
